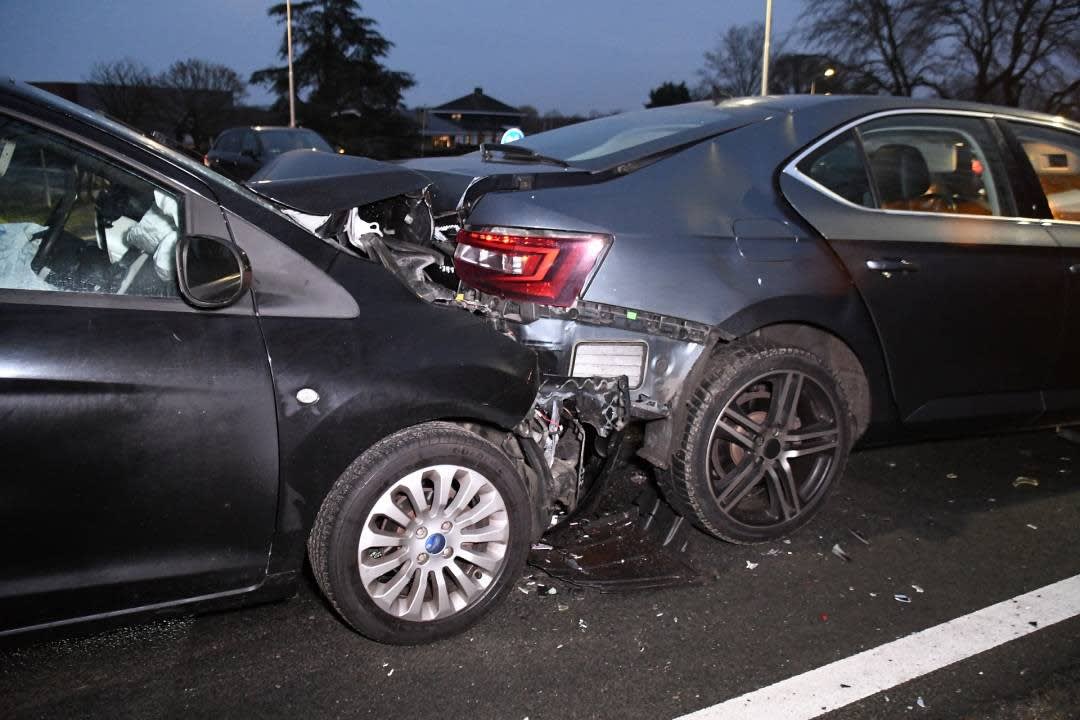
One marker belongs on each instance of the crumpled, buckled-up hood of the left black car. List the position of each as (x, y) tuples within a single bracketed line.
[(322, 184)]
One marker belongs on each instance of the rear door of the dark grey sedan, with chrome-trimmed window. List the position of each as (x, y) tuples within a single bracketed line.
[(967, 297)]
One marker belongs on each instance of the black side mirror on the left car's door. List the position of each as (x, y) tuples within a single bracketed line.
[(212, 273)]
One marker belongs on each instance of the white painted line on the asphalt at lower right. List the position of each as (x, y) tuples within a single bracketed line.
[(853, 680)]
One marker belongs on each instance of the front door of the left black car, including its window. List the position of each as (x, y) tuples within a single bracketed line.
[(140, 461)]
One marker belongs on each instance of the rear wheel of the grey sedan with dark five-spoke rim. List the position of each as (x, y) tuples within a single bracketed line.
[(766, 439)]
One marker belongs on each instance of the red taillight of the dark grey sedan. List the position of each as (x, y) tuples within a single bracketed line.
[(541, 266)]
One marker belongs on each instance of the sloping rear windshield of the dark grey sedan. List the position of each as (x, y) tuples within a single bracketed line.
[(617, 134)]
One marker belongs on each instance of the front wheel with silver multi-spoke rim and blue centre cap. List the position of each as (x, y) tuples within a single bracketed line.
[(422, 536)]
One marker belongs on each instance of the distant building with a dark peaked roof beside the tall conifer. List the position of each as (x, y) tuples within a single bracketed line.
[(466, 123)]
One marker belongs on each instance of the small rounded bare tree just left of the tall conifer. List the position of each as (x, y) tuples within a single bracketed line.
[(199, 97)]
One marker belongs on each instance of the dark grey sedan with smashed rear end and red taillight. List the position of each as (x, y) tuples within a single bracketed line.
[(780, 278)]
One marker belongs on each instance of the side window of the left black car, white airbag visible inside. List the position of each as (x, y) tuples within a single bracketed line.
[(73, 221)]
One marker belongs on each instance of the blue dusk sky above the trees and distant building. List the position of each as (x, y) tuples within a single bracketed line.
[(571, 56)]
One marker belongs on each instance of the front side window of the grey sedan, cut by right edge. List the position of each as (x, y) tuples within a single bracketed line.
[(1056, 157)]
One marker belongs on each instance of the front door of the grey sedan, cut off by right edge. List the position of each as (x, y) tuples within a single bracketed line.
[(1054, 157)]
